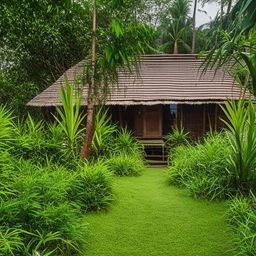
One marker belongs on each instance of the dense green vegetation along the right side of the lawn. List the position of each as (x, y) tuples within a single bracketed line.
[(222, 166)]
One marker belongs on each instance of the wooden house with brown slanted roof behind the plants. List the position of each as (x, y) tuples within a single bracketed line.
[(169, 91)]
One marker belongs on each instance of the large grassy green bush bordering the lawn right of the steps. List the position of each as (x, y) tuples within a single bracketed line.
[(202, 168)]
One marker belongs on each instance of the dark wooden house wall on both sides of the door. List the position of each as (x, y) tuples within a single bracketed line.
[(196, 119)]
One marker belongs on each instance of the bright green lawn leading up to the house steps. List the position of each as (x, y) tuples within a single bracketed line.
[(150, 218)]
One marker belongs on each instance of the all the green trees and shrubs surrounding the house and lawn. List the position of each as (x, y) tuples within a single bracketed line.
[(44, 186)]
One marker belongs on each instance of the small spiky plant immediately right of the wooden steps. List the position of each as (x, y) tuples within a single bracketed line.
[(176, 138)]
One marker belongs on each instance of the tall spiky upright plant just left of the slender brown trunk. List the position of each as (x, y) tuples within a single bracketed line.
[(70, 116)]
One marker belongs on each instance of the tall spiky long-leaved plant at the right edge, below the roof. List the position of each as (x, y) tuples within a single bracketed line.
[(241, 121)]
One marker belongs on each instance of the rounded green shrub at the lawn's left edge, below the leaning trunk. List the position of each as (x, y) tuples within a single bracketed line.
[(92, 187)]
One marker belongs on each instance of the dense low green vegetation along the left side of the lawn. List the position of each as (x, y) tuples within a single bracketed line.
[(45, 189)]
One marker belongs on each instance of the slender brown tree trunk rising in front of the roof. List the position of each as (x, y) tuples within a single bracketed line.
[(86, 149)]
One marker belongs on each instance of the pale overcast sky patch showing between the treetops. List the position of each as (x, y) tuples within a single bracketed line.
[(211, 10)]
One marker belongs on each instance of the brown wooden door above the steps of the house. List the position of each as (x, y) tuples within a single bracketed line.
[(152, 121)]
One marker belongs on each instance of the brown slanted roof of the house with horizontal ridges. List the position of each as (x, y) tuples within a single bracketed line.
[(163, 79)]
